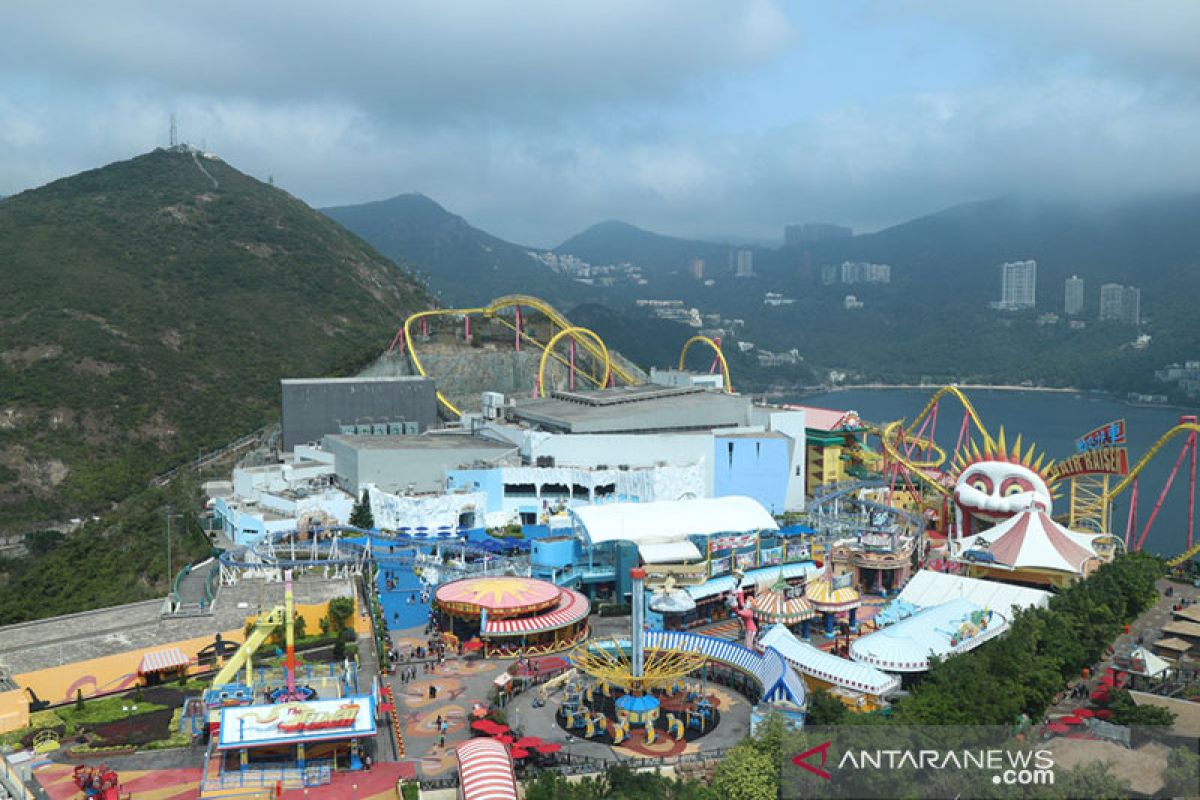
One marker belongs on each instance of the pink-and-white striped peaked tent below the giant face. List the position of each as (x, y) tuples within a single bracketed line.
[(1033, 540)]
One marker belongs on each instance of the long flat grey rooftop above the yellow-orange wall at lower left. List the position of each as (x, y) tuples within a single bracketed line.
[(29, 647)]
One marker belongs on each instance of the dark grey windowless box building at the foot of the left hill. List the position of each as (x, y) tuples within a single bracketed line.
[(315, 407)]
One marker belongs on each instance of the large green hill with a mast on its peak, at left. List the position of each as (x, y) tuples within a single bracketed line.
[(151, 309)]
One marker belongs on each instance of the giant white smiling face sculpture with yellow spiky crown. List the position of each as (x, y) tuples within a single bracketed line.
[(995, 484)]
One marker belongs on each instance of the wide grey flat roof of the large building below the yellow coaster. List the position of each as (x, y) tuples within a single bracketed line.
[(634, 410)]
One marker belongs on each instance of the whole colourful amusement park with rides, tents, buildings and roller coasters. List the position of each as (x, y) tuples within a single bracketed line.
[(506, 552)]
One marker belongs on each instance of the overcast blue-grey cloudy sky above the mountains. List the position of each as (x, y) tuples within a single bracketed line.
[(536, 121)]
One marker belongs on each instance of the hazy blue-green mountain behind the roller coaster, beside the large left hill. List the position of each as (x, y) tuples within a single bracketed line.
[(461, 263)]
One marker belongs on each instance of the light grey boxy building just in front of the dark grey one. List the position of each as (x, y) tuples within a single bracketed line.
[(416, 465)]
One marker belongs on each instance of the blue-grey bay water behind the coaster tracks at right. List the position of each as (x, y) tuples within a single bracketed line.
[(1053, 420)]
